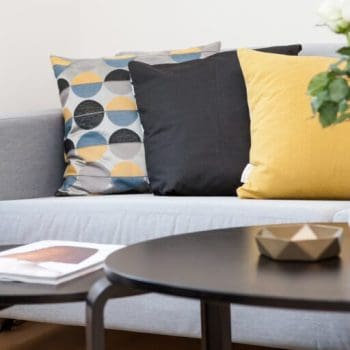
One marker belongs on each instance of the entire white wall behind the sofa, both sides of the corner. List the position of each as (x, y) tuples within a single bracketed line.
[(32, 29)]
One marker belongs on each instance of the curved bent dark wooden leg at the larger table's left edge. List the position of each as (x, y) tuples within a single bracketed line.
[(96, 300)]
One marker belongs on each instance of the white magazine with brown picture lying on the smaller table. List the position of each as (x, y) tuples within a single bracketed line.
[(52, 262)]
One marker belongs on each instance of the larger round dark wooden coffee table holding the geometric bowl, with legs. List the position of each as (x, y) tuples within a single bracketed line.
[(218, 268)]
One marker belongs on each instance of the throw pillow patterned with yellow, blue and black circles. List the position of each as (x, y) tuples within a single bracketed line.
[(103, 135)]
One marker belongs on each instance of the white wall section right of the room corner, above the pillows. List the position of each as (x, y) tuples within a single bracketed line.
[(156, 24)]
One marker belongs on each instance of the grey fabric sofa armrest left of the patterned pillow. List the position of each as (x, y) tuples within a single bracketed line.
[(31, 154)]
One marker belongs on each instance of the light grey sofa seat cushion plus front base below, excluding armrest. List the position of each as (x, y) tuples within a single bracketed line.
[(127, 219)]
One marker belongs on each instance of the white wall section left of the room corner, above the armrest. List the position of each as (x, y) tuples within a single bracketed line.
[(29, 31)]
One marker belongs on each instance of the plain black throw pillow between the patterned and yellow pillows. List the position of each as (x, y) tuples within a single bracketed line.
[(196, 123)]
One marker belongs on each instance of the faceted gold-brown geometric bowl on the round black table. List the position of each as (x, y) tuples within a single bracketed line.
[(299, 242)]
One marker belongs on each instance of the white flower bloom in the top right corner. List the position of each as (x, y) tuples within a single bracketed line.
[(336, 14)]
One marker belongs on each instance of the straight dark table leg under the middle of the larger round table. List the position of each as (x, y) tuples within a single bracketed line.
[(216, 325)]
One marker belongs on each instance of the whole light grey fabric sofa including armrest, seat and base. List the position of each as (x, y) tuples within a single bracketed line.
[(31, 170)]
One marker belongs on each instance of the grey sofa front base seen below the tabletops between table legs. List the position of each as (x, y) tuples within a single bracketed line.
[(159, 314)]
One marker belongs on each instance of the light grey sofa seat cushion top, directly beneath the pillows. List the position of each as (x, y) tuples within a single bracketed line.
[(126, 219)]
